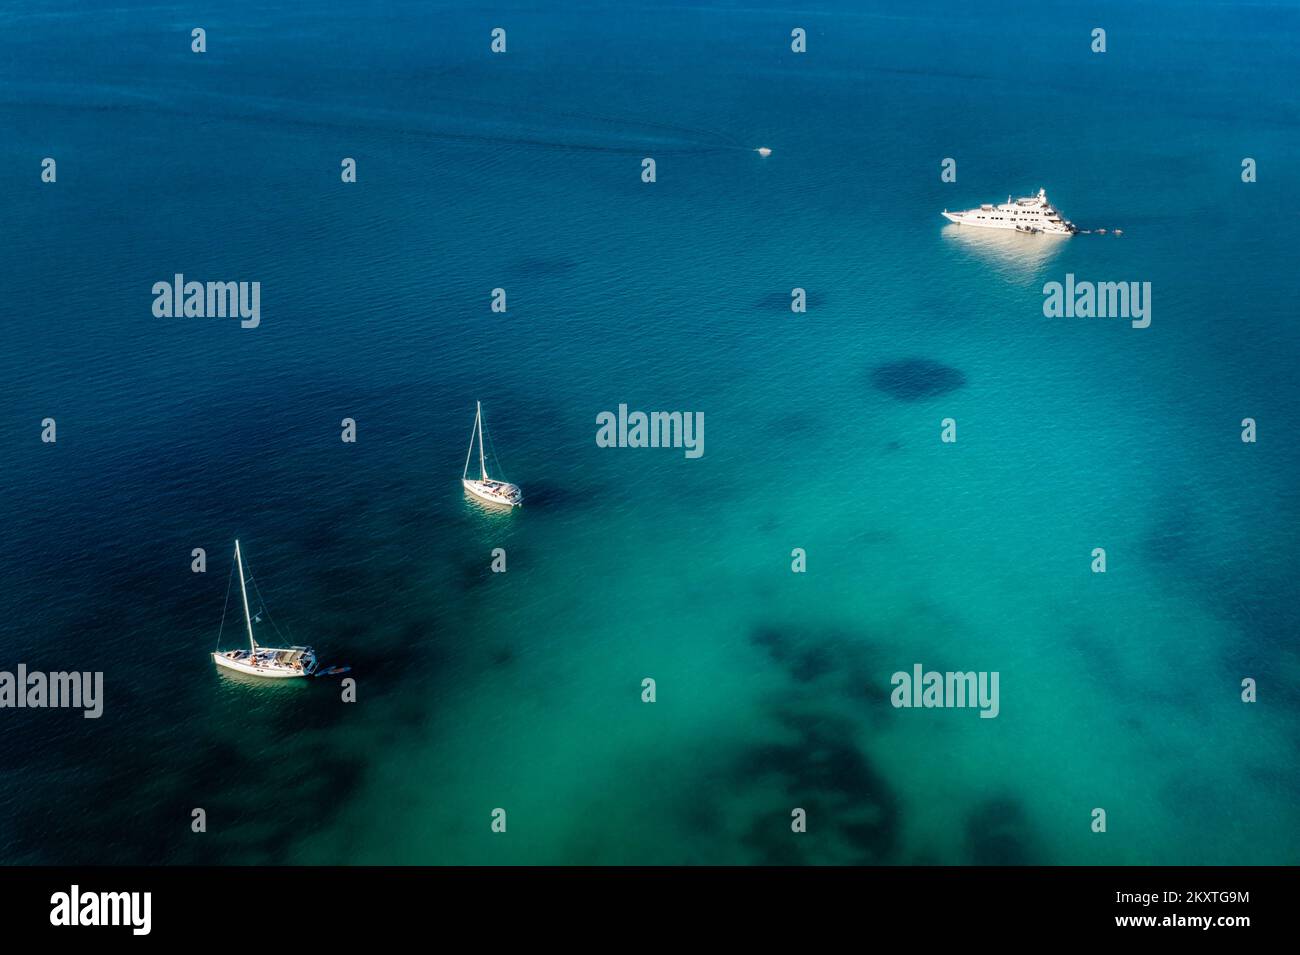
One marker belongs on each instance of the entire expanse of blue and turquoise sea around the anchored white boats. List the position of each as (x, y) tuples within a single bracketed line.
[(523, 691)]
